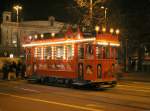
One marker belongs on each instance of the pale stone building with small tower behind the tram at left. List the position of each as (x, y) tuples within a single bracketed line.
[(13, 34)]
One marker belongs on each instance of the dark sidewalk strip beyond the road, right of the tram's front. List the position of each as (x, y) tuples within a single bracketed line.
[(136, 76)]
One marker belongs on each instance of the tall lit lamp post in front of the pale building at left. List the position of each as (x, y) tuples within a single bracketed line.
[(17, 8)]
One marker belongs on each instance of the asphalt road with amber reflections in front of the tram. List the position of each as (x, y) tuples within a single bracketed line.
[(22, 96)]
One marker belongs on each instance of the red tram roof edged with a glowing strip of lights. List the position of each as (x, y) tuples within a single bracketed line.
[(102, 39)]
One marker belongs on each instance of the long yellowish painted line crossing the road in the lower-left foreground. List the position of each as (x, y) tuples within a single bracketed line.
[(52, 102)]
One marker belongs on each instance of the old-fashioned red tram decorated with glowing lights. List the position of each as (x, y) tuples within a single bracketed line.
[(74, 59)]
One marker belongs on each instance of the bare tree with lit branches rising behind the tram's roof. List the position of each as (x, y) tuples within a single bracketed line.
[(93, 13)]
